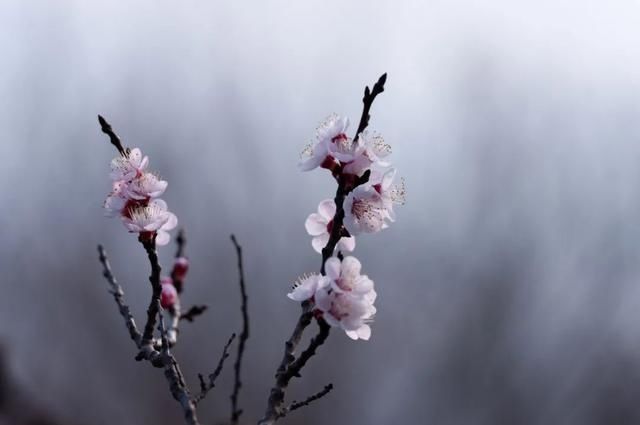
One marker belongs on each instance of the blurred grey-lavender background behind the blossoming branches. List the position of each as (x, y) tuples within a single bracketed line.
[(508, 288)]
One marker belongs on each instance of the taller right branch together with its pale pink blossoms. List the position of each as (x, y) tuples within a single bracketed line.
[(338, 295)]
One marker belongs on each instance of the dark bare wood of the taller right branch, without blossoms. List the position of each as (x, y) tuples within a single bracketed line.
[(289, 366)]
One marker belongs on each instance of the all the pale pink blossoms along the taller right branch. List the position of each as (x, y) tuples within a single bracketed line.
[(344, 297)]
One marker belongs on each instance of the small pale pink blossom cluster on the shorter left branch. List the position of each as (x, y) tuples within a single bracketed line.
[(134, 198)]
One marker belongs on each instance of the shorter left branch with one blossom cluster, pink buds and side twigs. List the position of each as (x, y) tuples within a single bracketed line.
[(134, 198)]
